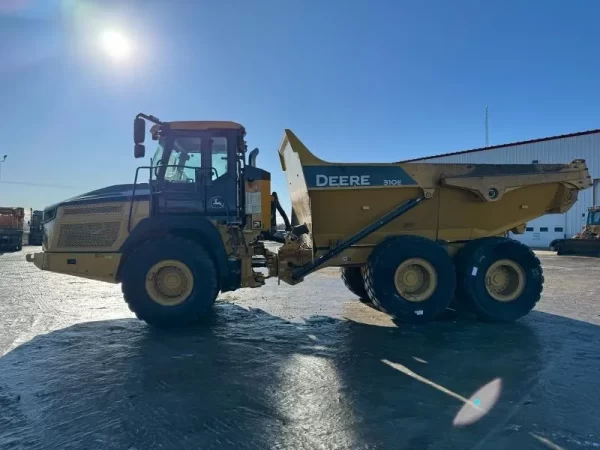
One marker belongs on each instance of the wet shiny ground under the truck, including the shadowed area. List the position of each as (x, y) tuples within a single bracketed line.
[(305, 367)]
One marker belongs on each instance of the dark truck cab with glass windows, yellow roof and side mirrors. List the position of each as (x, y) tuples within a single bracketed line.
[(198, 168)]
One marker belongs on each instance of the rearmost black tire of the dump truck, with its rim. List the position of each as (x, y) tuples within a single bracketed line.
[(498, 279)]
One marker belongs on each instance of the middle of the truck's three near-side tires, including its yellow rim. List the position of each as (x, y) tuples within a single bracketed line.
[(411, 278)]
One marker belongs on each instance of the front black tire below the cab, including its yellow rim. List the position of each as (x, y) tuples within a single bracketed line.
[(170, 282)]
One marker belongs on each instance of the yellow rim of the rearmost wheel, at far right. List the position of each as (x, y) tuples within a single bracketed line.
[(505, 280)]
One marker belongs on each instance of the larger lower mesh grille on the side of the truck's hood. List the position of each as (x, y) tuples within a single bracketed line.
[(88, 235)]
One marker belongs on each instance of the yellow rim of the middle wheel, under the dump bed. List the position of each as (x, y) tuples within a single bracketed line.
[(415, 279)]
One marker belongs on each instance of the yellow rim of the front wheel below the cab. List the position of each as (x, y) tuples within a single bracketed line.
[(169, 282)]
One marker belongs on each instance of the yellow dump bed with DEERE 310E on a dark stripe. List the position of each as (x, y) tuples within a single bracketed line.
[(463, 201)]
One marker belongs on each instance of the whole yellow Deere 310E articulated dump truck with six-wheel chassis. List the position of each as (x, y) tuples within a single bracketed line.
[(410, 238)]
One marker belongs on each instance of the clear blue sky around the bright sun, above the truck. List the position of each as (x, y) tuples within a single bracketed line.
[(370, 81)]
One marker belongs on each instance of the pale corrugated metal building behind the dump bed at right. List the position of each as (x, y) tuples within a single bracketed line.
[(554, 149)]
